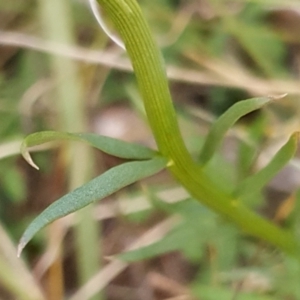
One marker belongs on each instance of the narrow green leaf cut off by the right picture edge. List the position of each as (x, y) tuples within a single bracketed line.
[(256, 182)]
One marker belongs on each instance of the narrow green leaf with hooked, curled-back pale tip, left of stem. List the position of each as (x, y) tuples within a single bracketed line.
[(106, 144)]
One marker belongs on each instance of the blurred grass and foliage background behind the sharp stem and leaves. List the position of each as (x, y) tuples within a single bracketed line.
[(60, 72)]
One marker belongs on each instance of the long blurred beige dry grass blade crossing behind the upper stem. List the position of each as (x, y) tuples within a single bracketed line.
[(217, 73)]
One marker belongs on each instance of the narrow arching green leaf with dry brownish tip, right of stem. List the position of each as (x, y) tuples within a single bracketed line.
[(225, 121)]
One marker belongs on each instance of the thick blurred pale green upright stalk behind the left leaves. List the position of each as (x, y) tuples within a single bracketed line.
[(57, 25)]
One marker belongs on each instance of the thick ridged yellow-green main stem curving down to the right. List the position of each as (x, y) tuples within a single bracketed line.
[(149, 69)]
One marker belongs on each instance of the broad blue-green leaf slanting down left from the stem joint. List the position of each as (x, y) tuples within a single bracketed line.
[(96, 189)]
